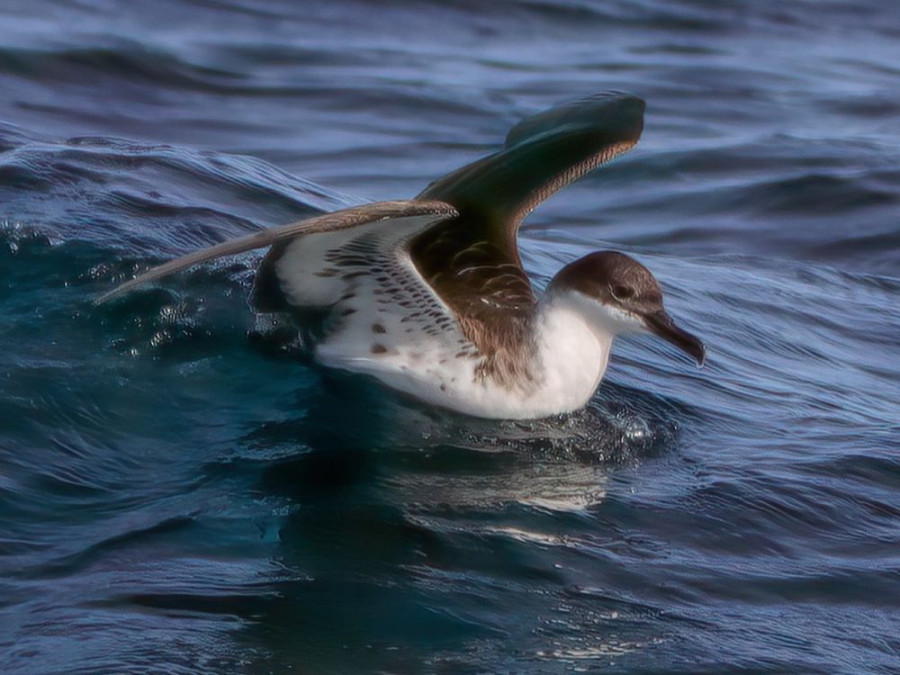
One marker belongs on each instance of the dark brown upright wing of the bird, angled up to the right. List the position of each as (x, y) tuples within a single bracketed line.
[(472, 261)]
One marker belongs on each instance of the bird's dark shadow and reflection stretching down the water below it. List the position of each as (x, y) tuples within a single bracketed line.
[(387, 494)]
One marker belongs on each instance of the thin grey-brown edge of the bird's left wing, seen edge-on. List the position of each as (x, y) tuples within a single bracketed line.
[(331, 222)]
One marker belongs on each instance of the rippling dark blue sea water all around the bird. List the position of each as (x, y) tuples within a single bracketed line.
[(178, 493)]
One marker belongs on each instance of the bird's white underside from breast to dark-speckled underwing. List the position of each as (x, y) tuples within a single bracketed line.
[(387, 322)]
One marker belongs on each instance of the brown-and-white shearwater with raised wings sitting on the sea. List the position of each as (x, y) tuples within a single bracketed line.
[(429, 295)]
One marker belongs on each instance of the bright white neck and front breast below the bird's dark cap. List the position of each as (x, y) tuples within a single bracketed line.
[(572, 348)]
